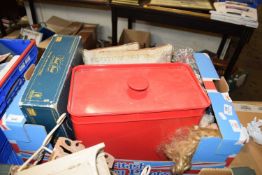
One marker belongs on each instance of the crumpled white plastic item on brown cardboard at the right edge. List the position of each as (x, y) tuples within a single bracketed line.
[(254, 130)]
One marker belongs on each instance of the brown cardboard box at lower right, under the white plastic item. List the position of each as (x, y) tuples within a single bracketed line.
[(251, 153)]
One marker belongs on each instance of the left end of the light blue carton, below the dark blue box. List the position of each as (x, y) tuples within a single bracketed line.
[(25, 138)]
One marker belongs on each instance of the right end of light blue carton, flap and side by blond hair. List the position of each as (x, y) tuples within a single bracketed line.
[(214, 149)]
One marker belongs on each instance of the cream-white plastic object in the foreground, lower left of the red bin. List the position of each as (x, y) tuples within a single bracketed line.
[(89, 161)]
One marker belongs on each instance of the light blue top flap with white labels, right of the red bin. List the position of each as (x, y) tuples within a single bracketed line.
[(225, 114)]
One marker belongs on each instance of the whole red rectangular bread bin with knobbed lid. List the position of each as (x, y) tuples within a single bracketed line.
[(133, 109)]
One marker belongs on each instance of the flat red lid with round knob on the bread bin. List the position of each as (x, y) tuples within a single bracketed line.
[(125, 89)]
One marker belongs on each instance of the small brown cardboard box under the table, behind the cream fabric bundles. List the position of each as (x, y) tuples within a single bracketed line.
[(130, 36)]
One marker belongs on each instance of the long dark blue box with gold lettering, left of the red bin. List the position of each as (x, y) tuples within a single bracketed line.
[(45, 97)]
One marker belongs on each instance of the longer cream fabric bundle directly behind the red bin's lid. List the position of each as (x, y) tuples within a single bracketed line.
[(161, 54)]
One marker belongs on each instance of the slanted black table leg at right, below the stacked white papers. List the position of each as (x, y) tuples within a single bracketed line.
[(241, 43)]
